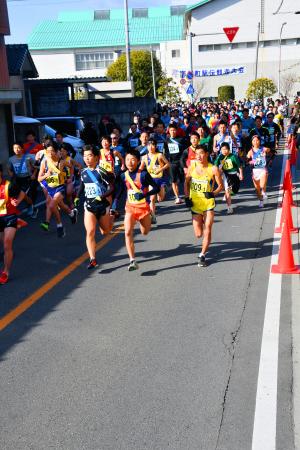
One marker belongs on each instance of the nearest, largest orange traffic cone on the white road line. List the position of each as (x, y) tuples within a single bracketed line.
[(286, 262)]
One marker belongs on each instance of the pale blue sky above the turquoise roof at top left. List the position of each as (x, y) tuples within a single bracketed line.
[(24, 15)]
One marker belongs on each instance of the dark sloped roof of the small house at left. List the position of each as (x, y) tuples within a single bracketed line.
[(20, 62)]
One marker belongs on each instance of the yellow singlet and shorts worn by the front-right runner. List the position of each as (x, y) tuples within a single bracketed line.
[(202, 181)]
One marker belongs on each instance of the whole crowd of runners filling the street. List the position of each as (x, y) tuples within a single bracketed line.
[(192, 152)]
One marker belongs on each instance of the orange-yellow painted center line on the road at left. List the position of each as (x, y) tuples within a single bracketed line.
[(39, 293)]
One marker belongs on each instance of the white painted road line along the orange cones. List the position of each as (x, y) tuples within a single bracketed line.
[(264, 429)]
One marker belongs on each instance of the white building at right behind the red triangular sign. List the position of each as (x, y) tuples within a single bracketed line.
[(213, 54)]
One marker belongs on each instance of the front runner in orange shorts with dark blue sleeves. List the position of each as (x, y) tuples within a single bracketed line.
[(137, 182)]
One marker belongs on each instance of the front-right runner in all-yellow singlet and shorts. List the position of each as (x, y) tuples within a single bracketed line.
[(200, 197)]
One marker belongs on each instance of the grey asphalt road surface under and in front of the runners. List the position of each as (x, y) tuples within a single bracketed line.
[(162, 358)]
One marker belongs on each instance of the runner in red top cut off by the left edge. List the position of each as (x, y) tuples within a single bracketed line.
[(10, 197)]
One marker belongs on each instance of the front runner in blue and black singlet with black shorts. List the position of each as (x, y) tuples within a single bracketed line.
[(97, 185)]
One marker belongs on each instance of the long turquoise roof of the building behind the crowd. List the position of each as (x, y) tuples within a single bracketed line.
[(80, 29)]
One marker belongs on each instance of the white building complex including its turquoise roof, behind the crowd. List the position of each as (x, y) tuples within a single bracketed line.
[(85, 43)]
